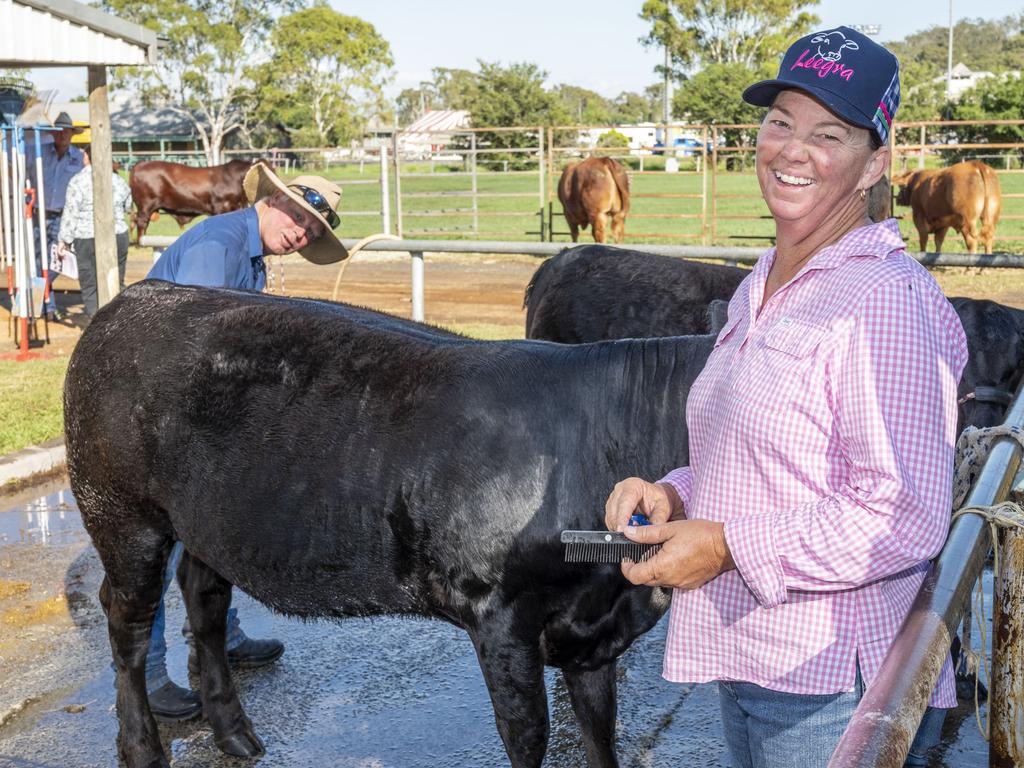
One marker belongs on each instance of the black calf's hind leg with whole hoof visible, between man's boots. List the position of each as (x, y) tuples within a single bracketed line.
[(207, 599)]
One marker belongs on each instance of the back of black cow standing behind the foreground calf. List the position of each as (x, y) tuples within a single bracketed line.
[(591, 293)]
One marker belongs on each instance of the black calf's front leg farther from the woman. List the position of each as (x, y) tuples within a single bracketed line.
[(515, 674)]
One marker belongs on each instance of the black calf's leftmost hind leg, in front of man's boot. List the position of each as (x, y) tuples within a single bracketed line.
[(131, 593)]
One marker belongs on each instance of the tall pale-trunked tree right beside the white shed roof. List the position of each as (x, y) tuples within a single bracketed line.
[(205, 67)]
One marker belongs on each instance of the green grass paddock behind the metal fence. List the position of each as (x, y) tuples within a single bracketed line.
[(736, 200)]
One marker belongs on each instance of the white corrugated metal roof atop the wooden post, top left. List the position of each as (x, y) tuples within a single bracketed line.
[(70, 34)]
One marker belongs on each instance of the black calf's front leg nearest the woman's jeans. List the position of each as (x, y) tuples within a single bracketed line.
[(593, 697)]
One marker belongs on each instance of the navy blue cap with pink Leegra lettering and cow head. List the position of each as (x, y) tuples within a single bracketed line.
[(846, 71)]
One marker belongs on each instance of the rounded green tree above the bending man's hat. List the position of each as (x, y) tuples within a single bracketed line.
[(332, 69)]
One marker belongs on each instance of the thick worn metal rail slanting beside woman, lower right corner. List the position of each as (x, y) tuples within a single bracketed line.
[(886, 720)]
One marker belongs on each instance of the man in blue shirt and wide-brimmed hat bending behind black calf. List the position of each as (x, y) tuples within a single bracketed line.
[(228, 251)]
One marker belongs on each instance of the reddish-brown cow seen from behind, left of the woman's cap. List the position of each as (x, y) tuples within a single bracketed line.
[(592, 190)]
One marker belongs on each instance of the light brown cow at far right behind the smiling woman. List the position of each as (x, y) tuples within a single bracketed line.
[(955, 197)]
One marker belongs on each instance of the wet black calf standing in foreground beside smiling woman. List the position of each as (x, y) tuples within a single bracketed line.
[(334, 462)]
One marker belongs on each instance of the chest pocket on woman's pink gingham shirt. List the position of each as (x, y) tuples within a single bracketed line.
[(778, 371)]
